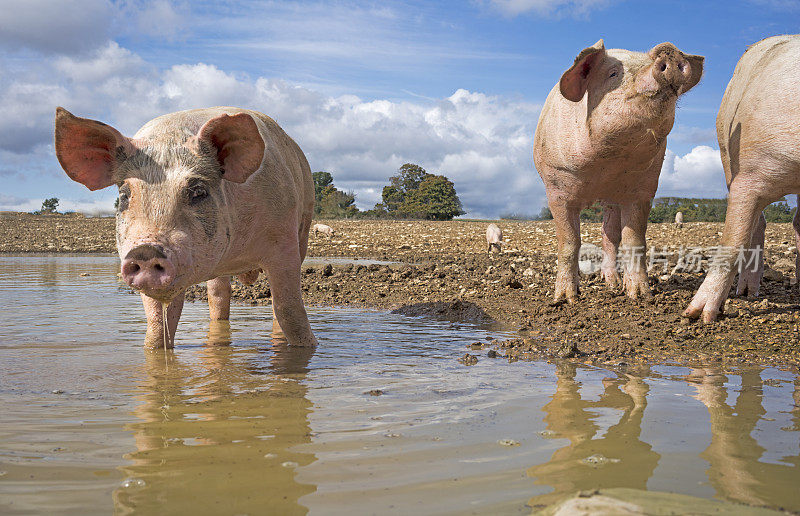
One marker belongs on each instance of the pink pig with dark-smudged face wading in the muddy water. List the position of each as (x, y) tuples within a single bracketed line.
[(203, 194)]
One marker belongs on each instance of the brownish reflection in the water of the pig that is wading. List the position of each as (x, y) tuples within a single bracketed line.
[(216, 434)]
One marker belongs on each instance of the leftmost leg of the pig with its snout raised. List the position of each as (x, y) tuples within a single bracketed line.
[(567, 221)]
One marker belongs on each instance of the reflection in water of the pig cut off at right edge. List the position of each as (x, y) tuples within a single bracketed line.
[(737, 469)]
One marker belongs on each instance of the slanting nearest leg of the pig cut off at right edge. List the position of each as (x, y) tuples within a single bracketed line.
[(743, 210)]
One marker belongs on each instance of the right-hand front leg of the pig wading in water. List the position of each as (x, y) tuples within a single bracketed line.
[(282, 266)]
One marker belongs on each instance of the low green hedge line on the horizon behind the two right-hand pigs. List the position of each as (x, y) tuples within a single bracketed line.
[(665, 208)]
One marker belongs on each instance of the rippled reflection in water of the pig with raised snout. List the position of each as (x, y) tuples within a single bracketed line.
[(617, 458)]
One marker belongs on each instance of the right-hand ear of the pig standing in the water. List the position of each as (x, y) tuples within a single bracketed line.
[(240, 148)]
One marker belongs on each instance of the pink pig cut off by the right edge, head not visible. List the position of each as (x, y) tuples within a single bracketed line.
[(759, 141)]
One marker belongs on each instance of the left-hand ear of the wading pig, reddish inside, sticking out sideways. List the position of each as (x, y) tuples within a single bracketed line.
[(89, 150)]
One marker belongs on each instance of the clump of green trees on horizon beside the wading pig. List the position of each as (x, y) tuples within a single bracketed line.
[(413, 193)]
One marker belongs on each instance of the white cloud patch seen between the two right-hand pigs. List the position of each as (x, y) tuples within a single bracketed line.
[(696, 174)]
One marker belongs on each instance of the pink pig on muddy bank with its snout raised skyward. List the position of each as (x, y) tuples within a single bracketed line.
[(601, 137)]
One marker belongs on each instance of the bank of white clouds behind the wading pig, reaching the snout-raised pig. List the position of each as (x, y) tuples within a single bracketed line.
[(481, 142)]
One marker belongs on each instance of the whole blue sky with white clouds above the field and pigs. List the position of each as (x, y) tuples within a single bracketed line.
[(363, 87)]
